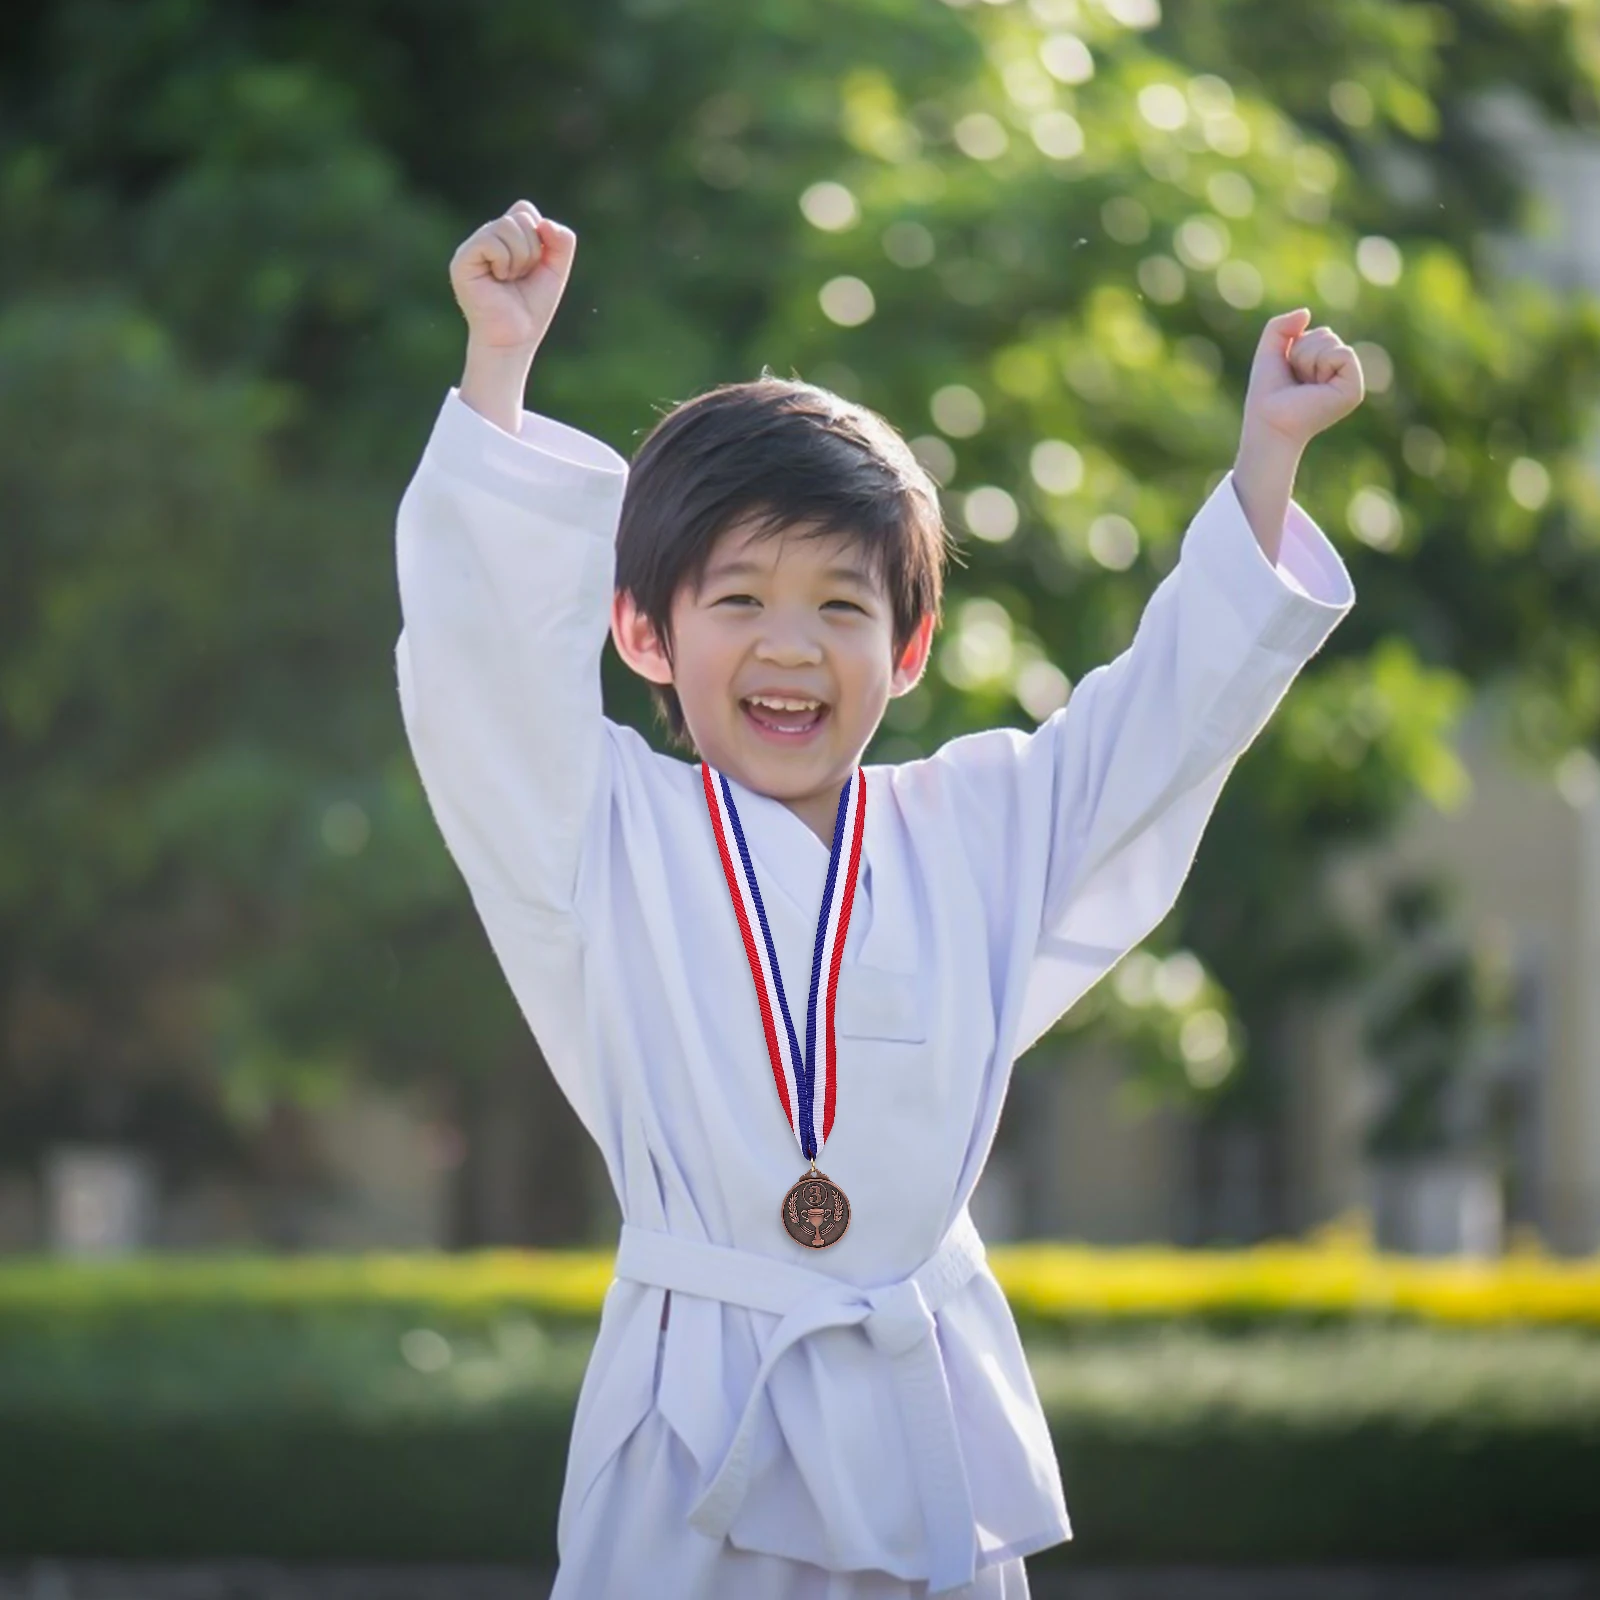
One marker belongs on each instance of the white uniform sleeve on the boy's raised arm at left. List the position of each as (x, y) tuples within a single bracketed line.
[(505, 548)]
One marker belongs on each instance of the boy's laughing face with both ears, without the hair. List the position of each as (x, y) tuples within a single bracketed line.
[(796, 620)]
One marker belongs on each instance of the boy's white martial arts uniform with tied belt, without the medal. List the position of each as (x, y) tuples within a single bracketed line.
[(857, 1422)]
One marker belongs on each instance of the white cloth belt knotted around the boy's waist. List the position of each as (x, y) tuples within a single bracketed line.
[(898, 1319)]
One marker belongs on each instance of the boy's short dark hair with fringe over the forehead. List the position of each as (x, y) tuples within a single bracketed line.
[(778, 455)]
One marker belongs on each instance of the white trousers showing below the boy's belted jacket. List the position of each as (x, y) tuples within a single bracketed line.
[(634, 1538)]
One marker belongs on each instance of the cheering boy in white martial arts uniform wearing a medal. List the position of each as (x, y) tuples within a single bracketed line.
[(807, 1382)]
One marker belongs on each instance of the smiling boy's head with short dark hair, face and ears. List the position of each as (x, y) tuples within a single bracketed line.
[(782, 599)]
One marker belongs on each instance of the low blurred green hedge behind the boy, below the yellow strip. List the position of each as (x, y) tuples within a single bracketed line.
[(364, 1418)]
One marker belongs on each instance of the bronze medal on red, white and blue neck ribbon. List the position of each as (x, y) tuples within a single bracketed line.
[(815, 1212)]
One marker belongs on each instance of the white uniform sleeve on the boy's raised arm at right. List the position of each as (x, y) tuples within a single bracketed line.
[(1090, 823)]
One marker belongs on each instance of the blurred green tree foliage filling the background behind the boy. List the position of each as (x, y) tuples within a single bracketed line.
[(1039, 238)]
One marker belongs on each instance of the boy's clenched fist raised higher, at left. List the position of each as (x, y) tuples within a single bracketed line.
[(510, 276)]
